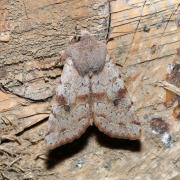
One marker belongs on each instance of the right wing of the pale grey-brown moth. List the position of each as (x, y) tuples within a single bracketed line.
[(113, 110)]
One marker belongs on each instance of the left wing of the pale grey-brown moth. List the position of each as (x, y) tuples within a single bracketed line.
[(69, 118)]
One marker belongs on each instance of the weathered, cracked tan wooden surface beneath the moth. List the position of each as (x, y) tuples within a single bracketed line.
[(142, 37)]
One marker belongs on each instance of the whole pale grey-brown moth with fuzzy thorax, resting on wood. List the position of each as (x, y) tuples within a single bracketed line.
[(91, 92)]
